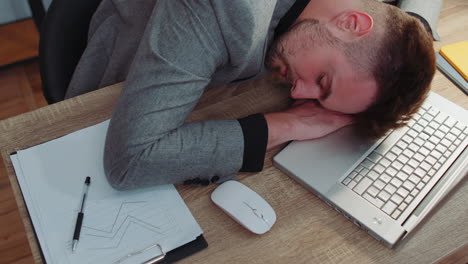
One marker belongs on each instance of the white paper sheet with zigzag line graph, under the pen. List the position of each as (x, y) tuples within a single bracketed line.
[(116, 223)]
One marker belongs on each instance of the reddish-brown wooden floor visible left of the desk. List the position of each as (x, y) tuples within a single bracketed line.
[(20, 91)]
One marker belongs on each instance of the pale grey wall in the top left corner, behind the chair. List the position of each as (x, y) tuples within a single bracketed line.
[(13, 10)]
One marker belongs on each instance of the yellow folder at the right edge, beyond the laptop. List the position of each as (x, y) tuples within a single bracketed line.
[(457, 55)]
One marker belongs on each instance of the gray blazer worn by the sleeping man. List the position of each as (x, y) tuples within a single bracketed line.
[(169, 51)]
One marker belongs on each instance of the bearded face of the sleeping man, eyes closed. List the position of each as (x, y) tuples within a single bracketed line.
[(309, 57)]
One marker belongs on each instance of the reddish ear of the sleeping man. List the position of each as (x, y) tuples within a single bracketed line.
[(351, 24)]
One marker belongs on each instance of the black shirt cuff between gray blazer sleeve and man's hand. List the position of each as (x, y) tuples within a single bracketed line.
[(255, 131)]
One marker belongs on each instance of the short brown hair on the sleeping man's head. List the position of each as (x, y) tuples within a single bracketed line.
[(403, 69)]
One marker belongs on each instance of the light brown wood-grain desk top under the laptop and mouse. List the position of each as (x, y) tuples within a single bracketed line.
[(307, 230)]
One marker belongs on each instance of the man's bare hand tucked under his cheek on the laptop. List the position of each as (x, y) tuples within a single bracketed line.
[(306, 119)]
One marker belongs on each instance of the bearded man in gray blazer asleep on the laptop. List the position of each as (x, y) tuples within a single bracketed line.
[(361, 60)]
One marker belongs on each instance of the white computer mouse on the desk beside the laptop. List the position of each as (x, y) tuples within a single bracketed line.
[(244, 205)]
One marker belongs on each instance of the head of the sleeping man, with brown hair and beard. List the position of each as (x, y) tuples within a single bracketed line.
[(359, 57)]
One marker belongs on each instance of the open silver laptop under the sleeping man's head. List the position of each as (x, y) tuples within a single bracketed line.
[(386, 186)]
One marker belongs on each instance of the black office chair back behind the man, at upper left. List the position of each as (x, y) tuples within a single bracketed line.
[(63, 38)]
